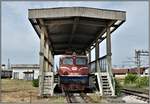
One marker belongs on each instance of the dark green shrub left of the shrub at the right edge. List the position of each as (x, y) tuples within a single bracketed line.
[(130, 78)]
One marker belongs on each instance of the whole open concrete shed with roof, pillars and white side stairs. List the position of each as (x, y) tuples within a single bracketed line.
[(79, 29)]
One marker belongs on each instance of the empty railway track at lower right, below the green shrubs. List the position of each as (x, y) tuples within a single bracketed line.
[(139, 95)]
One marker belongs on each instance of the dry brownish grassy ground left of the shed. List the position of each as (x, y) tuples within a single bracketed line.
[(23, 91)]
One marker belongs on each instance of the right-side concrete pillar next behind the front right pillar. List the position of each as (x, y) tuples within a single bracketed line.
[(96, 57)]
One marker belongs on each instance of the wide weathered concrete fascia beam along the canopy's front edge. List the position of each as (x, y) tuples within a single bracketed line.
[(77, 12)]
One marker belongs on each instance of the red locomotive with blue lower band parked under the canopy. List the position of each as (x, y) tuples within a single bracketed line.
[(73, 72)]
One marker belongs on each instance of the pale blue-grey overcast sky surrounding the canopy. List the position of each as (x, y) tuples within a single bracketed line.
[(20, 42)]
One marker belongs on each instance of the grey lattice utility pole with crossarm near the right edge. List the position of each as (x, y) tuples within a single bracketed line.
[(138, 54)]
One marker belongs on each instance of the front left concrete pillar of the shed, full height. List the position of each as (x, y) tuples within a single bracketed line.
[(41, 71)]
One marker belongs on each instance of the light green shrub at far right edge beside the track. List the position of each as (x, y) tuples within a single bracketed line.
[(142, 81)]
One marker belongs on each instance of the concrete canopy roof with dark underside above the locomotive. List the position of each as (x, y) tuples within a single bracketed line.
[(74, 28)]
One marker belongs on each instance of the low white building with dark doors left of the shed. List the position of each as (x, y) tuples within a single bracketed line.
[(25, 71)]
